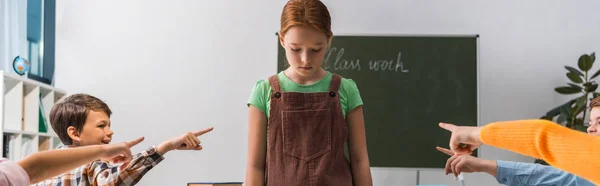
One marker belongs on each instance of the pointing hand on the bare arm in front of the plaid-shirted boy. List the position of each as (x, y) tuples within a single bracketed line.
[(120, 152)]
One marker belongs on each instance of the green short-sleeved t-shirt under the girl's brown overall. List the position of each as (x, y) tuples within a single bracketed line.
[(349, 94)]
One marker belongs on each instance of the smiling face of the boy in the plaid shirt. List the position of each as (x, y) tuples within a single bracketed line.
[(96, 130)]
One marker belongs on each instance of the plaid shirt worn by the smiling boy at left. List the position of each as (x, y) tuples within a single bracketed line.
[(100, 173)]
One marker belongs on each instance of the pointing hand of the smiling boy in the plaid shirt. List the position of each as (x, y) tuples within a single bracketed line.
[(187, 141)]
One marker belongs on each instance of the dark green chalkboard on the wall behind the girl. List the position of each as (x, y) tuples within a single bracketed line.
[(408, 85)]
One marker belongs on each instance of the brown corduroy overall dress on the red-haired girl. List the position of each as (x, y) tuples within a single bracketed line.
[(305, 138)]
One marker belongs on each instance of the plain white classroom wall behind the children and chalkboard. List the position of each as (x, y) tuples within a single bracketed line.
[(169, 67)]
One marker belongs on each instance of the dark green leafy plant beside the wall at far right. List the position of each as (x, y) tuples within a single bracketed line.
[(573, 113)]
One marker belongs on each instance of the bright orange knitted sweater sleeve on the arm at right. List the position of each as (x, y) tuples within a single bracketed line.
[(566, 149)]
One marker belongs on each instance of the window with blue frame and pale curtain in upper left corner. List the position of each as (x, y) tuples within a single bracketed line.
[(27, 30)]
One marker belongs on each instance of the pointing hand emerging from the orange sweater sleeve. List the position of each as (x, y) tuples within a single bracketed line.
[(464, 139)]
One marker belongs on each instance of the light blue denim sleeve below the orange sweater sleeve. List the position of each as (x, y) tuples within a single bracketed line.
[(516, 173)]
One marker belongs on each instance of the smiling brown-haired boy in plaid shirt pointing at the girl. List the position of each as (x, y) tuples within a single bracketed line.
[(81, 120)]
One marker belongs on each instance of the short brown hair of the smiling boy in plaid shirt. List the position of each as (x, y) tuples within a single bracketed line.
[(73, 111)]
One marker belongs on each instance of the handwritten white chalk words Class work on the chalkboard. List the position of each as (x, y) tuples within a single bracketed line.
[(381, 65)]
